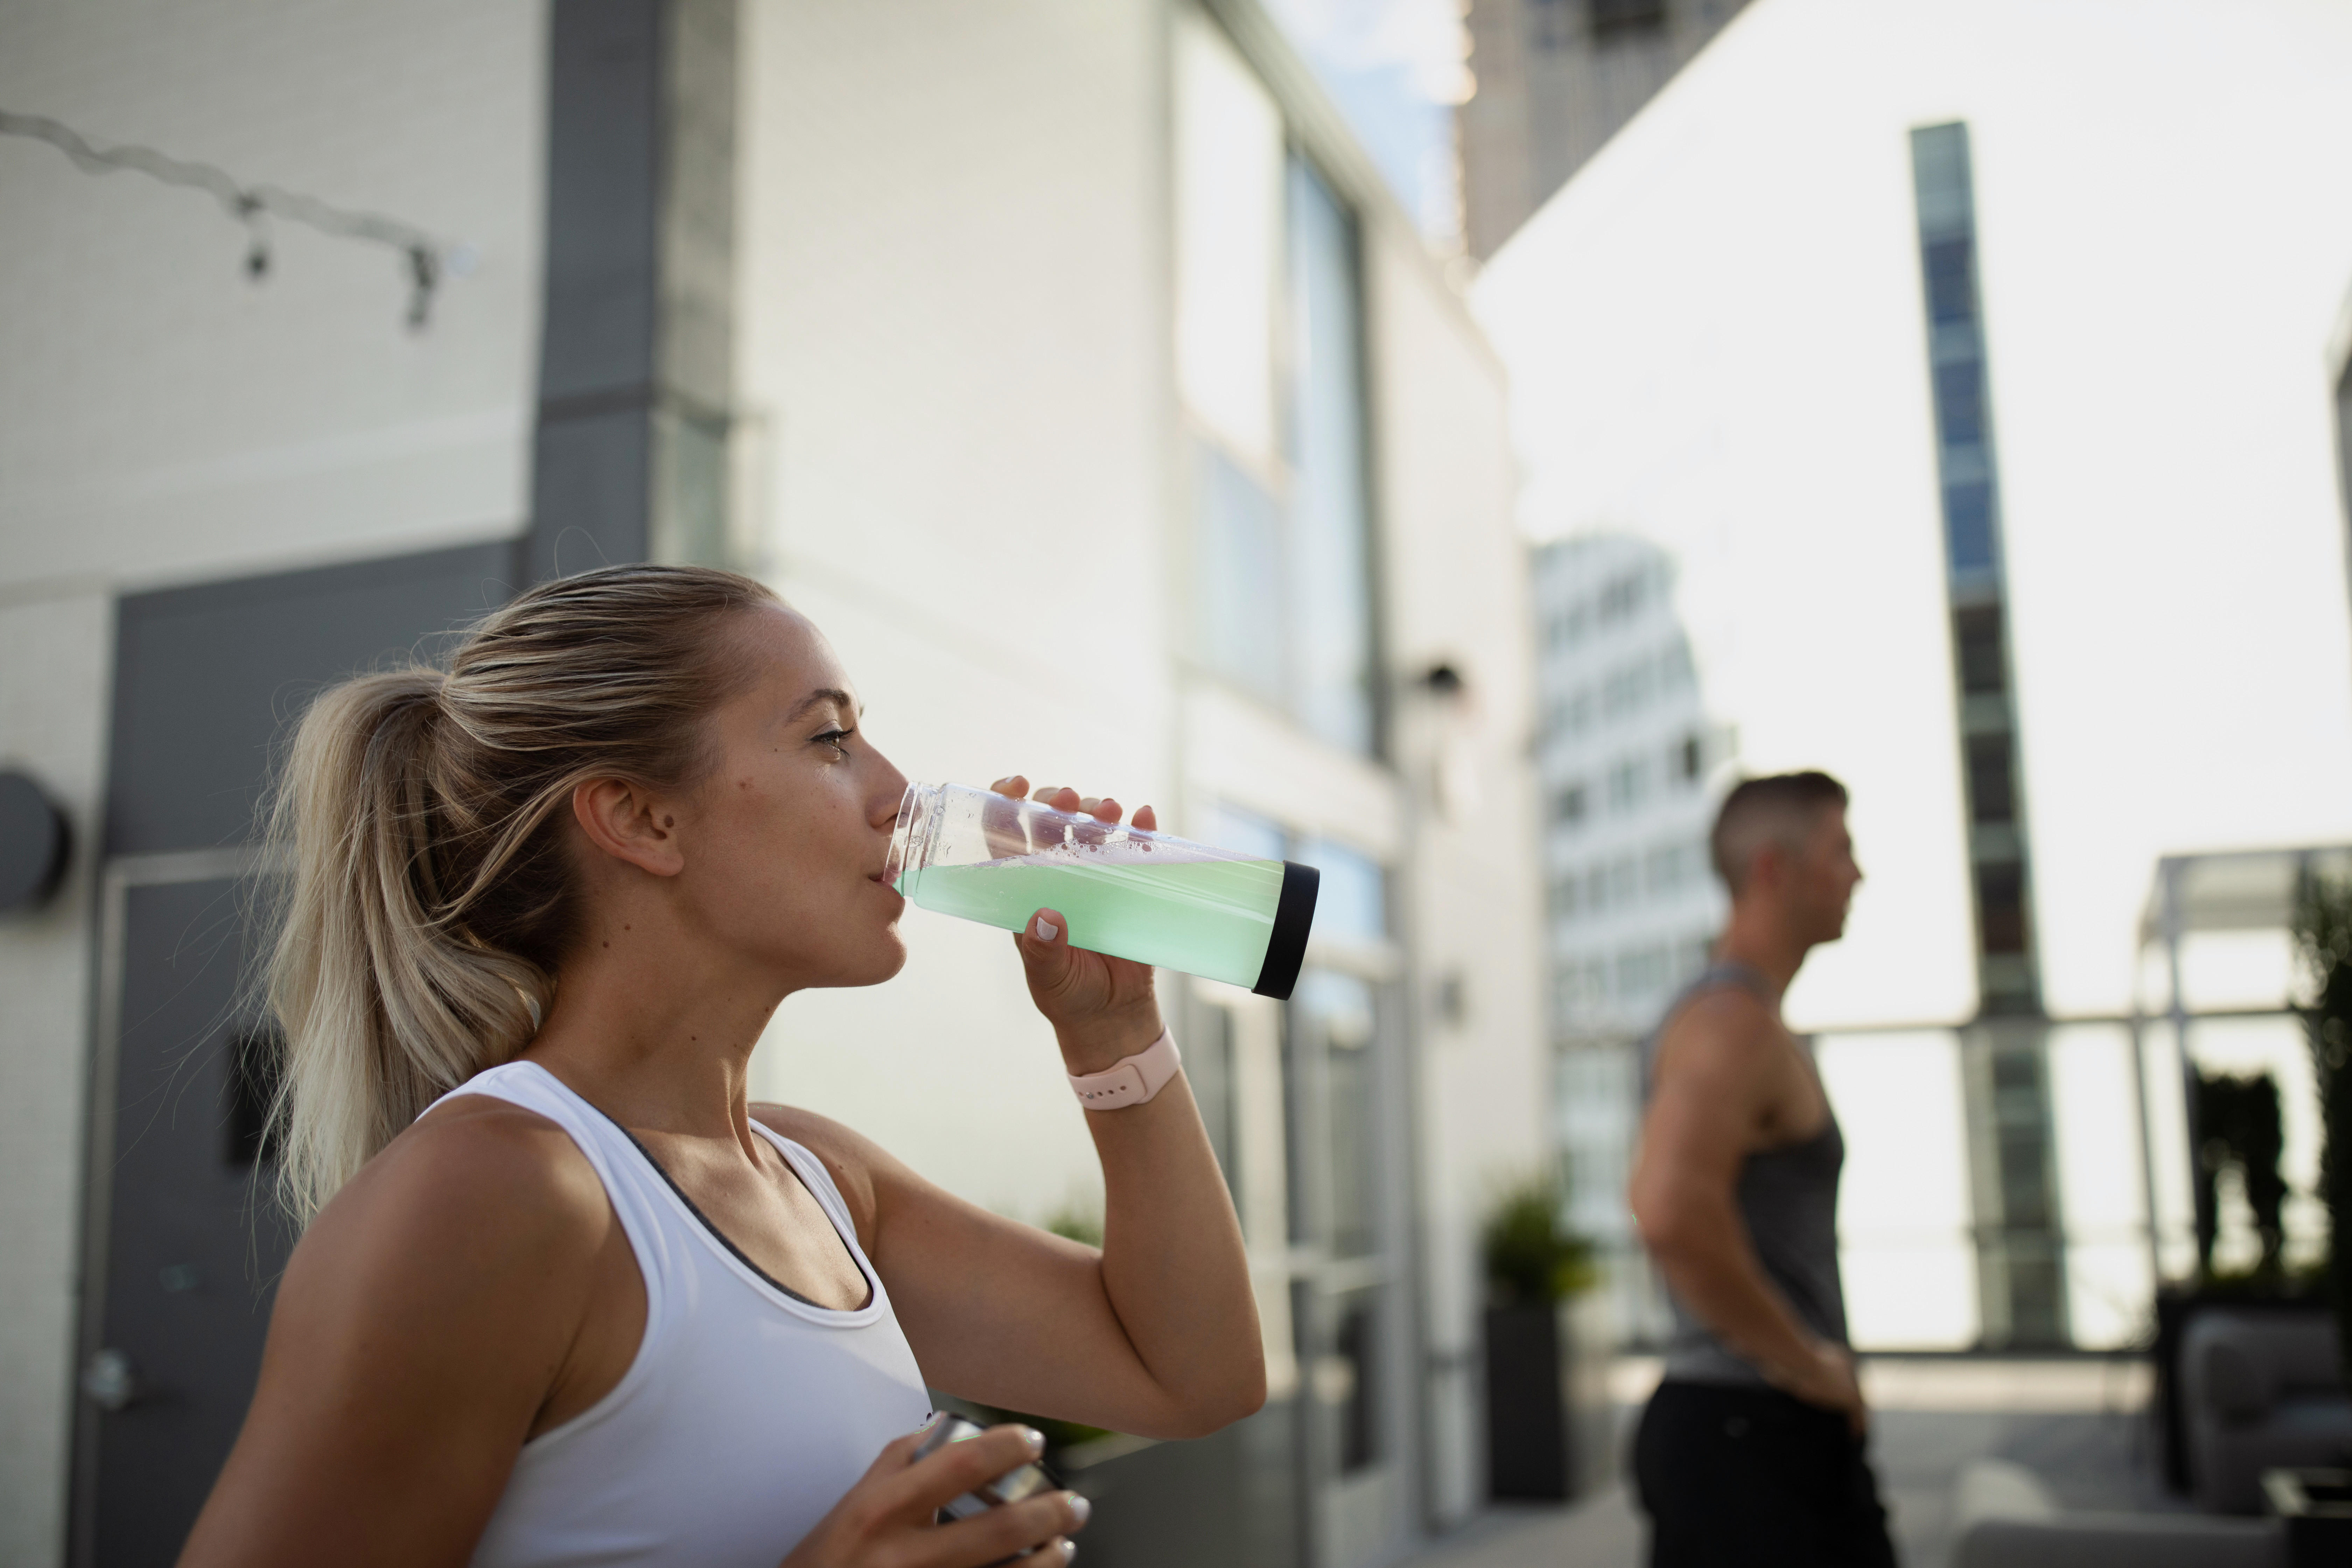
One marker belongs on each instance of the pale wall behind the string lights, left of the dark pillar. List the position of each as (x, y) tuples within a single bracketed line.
[(166, 422)]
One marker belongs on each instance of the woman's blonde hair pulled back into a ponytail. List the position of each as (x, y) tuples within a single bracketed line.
[(420, 815)]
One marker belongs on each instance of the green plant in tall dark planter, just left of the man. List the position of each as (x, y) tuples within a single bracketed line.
[(1532, 1266)]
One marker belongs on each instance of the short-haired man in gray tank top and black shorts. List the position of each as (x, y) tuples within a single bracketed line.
[(1751, 1449)]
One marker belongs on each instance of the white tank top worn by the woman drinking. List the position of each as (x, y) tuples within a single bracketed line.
[(747, 1412)]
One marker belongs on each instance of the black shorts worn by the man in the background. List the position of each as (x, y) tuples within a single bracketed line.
[(1742, 1477)]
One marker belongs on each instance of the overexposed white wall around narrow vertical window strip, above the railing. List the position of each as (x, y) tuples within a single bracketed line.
[(1716, 342)]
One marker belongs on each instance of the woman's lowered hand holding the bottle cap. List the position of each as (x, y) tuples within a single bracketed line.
[(888, 1517)]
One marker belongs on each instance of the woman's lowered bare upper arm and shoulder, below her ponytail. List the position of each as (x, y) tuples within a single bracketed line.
[(422, 1329)]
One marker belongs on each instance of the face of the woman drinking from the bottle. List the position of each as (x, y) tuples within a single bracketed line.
[(787, 836)]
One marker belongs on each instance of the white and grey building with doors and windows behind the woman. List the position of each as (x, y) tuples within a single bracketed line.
[(1071, 368)]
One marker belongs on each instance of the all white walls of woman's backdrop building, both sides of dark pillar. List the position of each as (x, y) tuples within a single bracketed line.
[(956, 368)]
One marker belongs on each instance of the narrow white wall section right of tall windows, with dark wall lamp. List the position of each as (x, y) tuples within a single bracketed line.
[(1455, 587)]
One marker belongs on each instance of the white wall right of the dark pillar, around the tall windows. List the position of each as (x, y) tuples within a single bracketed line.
[(958, 363)]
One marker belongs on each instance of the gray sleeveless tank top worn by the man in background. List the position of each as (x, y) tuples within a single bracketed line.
[(1789, 1202)]
